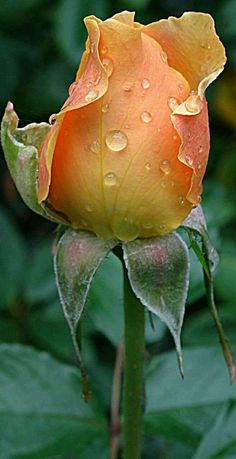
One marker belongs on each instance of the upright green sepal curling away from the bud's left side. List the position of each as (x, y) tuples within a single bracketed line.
[(21, 146)]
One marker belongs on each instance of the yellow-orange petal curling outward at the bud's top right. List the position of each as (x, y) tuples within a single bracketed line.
[(192, 46)]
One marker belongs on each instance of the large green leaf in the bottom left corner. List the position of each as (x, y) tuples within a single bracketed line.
[(42, 413)]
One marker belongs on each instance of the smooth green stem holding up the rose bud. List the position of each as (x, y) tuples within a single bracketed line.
[(133, 372)]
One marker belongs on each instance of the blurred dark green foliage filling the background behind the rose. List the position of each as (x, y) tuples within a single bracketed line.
[(42, 414)]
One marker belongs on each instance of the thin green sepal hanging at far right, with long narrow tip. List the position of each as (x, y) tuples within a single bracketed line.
[(196, 227)]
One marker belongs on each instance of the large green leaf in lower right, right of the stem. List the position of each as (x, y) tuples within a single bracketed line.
[(184, 411)]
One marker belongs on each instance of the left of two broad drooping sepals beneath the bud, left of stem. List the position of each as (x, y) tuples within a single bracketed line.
[(78, 256)]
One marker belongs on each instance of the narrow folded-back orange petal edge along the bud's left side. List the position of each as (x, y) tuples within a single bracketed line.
[(90, 85)]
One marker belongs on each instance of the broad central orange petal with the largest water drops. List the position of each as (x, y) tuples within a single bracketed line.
[(139, 187)]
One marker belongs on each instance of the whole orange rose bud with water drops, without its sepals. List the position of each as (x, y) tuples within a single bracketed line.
[(127, 153)]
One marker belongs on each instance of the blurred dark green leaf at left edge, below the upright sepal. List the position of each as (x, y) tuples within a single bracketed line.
[(12, 261)]
